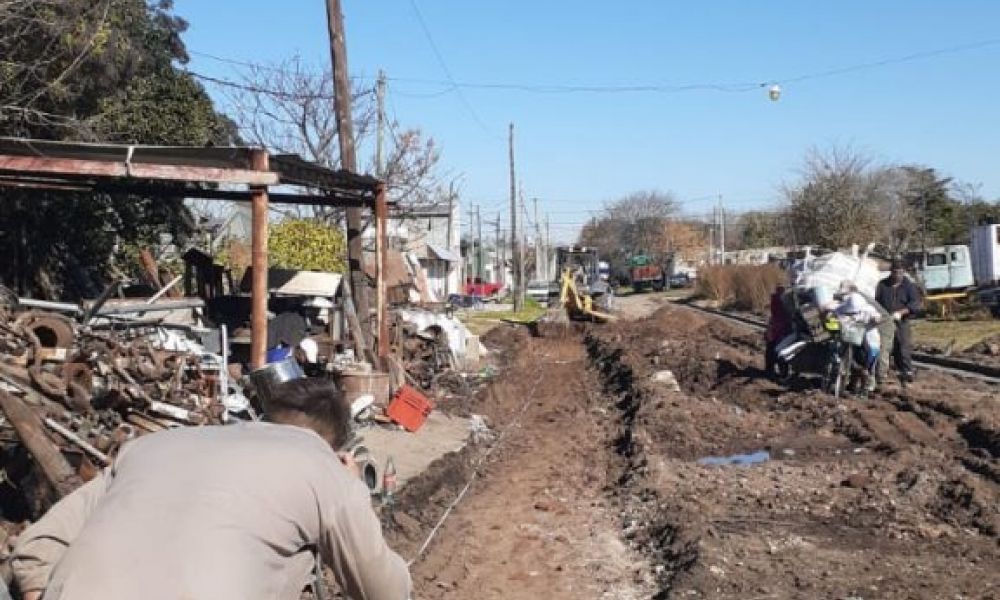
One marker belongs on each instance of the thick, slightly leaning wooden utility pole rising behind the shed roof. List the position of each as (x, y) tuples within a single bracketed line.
[(349, 162)]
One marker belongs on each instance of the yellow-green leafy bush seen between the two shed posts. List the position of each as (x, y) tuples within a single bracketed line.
[(307, 244)]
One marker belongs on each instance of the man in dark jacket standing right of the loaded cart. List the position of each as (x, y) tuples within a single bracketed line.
[(900, 297)]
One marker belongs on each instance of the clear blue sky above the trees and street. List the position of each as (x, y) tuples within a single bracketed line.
[(577, 150)]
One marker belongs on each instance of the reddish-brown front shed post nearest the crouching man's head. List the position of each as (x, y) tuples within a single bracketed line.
[(258, 243)]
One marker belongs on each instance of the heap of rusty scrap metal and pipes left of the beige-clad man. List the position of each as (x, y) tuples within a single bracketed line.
[(72, 393)]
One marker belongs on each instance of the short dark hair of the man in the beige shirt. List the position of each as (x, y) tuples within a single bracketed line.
[(319, 399)]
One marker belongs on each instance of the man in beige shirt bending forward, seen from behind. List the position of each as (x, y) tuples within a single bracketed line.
[(214, 513)]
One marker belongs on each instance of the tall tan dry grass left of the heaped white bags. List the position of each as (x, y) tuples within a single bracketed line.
[(740, 287)]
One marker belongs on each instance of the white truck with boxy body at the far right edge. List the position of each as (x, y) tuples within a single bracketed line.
[(957, 270)]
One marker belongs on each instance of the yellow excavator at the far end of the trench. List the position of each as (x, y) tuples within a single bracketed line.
[(583, 292)]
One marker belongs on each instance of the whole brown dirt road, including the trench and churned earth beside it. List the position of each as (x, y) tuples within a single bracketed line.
[(594, 483)]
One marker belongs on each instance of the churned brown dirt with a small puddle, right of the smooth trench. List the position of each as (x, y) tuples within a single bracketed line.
[(891, 496)]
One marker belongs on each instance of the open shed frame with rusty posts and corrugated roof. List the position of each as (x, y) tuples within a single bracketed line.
[(213, 173)]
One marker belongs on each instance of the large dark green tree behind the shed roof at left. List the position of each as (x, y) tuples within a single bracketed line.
[(93, 71)]
